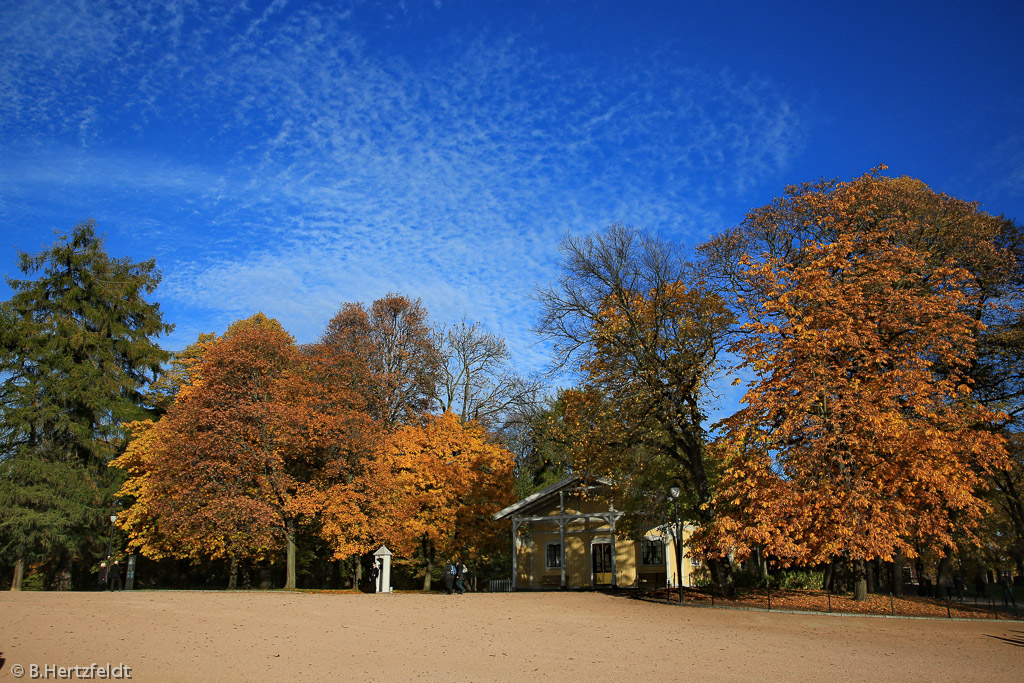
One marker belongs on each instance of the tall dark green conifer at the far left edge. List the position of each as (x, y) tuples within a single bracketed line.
[(76, 352)]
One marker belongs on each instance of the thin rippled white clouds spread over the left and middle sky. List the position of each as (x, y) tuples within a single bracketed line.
[(324, 169)]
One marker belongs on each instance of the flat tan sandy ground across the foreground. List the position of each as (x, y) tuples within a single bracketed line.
[(257, 636)]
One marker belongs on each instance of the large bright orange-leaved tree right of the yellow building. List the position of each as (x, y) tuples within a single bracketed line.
[(861, 437)]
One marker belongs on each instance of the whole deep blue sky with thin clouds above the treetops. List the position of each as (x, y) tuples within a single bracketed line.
[(288, 157)]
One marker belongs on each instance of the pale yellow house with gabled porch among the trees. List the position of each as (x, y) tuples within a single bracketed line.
[(565, 537)]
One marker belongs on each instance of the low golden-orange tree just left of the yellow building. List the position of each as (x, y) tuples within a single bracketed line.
[(431, 489)]
